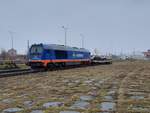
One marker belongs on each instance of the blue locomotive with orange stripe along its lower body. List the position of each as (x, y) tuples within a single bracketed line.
[(53, 55)]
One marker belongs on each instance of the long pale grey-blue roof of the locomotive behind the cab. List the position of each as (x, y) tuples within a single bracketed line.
[(62, 47)]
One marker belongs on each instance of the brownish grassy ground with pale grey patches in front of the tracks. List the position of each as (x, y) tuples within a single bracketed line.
[(122, 87)]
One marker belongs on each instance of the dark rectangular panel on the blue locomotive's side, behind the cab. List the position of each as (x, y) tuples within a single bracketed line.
[(60, 54)]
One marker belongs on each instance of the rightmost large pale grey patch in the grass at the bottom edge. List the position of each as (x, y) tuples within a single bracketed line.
[(108, 106)]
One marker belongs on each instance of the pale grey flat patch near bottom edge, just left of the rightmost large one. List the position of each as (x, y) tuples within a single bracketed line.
[(80, 105)]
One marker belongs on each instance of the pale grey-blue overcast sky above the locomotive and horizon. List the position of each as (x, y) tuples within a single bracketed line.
[(108, 25)]
